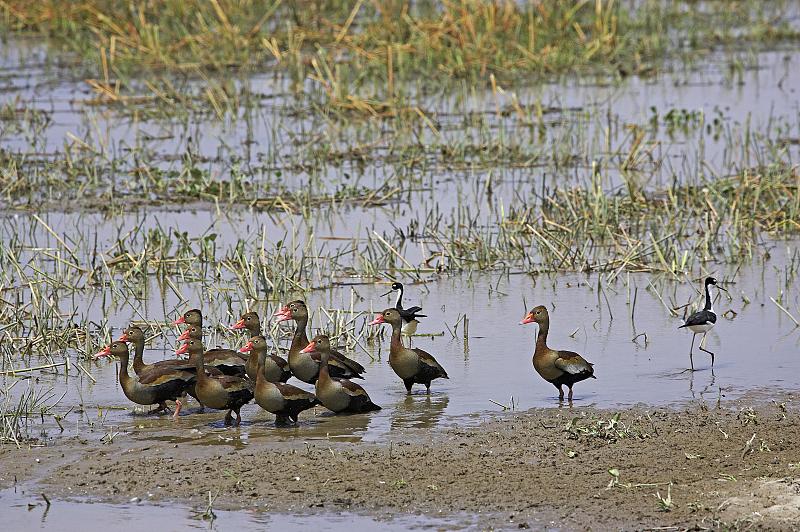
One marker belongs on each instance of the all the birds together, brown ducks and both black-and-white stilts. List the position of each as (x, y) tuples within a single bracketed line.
[(227, 379)]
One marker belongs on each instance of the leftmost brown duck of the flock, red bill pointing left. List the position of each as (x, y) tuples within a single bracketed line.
[(155, 386)]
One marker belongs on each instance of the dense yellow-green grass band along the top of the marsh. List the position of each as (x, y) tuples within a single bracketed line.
[(361, 54)]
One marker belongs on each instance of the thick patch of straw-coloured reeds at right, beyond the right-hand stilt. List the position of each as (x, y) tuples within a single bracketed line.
[(587, 228)]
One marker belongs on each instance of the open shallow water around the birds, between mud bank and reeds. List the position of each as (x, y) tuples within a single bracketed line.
[(755, 350)]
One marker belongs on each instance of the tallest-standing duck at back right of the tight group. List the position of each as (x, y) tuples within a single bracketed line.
[(305, 365)]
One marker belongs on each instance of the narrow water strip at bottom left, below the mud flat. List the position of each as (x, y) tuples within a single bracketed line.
[(28, 511)]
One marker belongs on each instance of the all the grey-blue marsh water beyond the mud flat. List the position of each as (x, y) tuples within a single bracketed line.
[(756, 349)]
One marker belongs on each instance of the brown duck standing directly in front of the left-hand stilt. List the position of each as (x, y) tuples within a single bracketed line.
[(414, 366)]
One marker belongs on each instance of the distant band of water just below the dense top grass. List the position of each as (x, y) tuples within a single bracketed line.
[(742, 104)]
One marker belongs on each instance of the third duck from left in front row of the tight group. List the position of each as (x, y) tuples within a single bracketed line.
[(283, 400)]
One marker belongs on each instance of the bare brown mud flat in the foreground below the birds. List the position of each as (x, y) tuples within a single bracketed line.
[(734, 466)]
